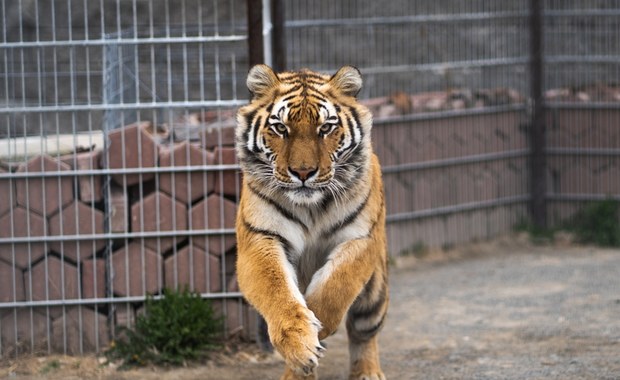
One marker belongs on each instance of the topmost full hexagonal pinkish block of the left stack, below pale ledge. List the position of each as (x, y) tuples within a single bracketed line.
[(44, 195)]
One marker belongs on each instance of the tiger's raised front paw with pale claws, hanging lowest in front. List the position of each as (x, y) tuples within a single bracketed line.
[(297, 341)]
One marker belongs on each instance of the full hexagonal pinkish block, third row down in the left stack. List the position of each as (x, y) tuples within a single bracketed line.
[(52, 279)]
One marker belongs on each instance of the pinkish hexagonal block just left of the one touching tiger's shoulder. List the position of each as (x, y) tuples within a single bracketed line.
[(159, 212)]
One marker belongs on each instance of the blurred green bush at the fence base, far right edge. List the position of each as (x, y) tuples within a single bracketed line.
[(597, 223)]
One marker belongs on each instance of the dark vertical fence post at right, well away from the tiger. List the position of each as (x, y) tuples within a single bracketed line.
[(538, 206)]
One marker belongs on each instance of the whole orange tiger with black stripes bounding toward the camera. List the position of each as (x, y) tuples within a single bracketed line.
[(310, 227)]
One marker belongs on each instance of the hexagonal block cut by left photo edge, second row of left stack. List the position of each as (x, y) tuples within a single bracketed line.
[(21, 223)]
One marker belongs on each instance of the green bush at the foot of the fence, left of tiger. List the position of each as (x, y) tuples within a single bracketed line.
[(174, 329)]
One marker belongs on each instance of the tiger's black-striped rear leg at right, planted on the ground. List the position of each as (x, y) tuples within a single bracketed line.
[(364, 320)]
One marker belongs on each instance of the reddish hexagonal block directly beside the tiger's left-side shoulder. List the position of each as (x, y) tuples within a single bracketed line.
[(215, 212)]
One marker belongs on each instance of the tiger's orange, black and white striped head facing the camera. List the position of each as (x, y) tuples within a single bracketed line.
[(304, 134)]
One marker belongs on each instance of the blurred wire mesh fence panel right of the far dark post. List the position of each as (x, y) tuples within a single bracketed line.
[(582, 58)]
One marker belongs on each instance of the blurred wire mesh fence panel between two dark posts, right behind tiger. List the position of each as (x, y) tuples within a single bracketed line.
[(447, 82)]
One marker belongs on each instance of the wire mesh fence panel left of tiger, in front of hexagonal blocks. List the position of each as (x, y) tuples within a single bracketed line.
[(118, 173)]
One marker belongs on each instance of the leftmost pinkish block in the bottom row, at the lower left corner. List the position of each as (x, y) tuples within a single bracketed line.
[(31, 328)]
